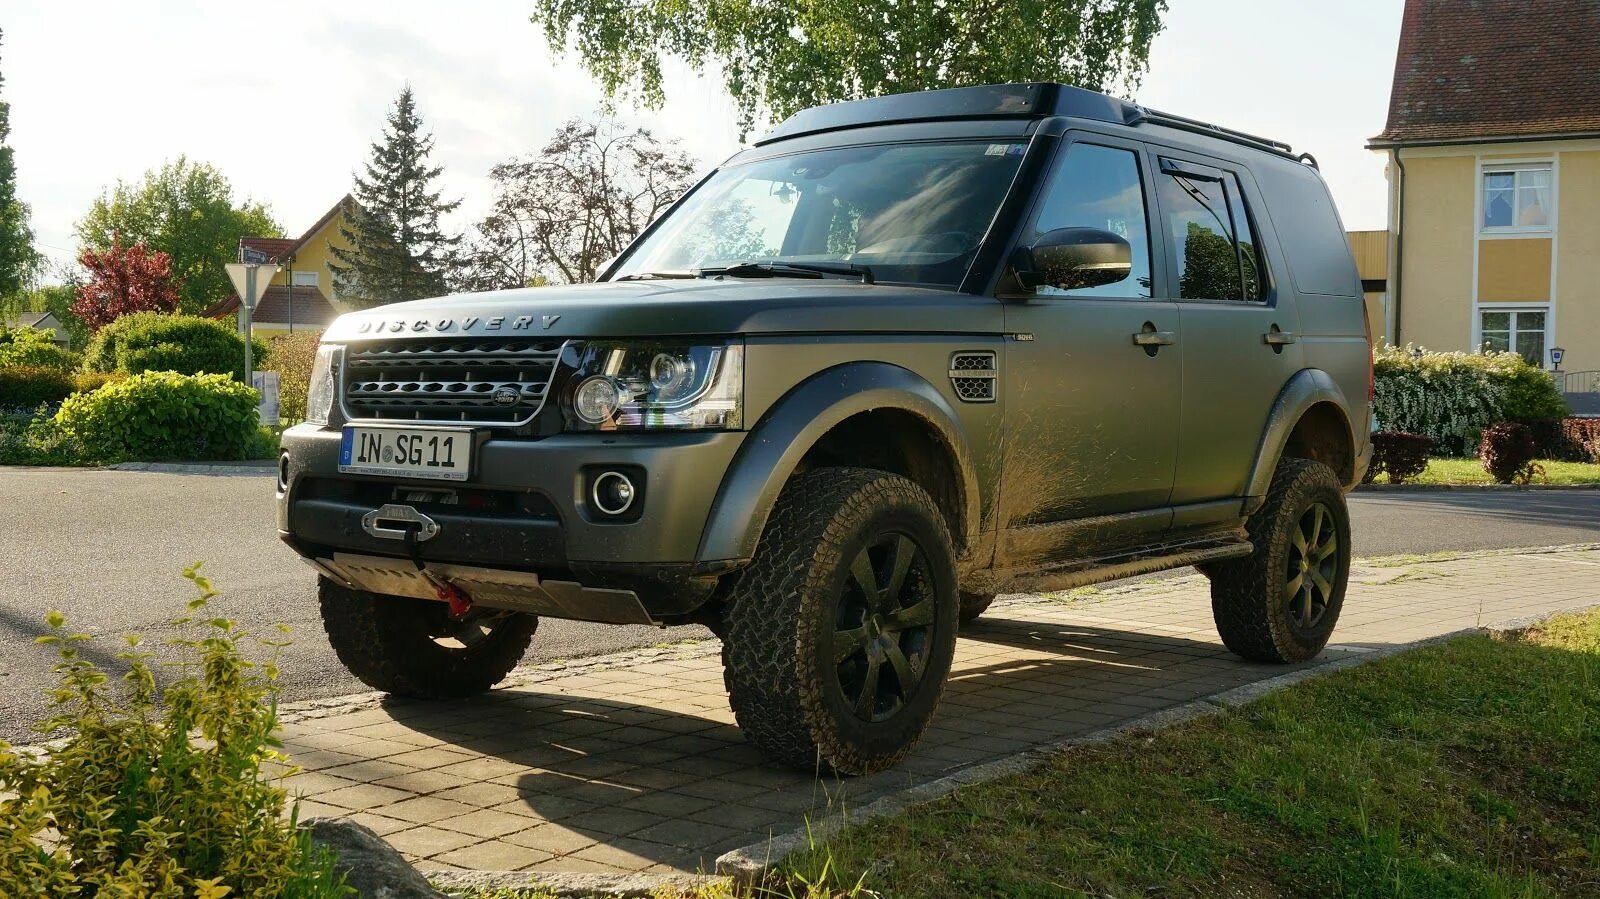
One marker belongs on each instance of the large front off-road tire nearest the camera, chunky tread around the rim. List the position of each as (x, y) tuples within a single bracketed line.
[(782, 618)]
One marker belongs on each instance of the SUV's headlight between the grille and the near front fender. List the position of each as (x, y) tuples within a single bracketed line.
[(638, 385)]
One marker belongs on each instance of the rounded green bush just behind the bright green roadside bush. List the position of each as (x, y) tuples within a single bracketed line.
[(154, 342)]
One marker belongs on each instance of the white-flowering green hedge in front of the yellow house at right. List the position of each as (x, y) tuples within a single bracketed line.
[(1454, 398)]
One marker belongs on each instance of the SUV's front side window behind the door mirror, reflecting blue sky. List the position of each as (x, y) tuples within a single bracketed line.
[(1100, 188)]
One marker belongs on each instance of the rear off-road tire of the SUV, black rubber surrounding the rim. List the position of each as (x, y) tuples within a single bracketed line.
[(1249, 596)]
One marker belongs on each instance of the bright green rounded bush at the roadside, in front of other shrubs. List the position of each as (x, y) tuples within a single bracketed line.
[(164, 415)]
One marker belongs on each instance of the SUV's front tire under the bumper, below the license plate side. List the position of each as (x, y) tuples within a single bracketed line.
[(386, 642)]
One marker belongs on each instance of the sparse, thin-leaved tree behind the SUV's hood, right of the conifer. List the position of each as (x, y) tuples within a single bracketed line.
[(574, 206)]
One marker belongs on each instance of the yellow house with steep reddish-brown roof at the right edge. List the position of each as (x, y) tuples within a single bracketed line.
[(1494, 145)]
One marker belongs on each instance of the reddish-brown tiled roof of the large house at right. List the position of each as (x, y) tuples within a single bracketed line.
[(1495, 70)]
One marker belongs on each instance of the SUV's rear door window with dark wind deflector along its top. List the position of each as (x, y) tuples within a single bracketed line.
[(1210, 228)]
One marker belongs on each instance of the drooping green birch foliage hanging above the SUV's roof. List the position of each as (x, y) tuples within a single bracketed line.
[(786, 55)]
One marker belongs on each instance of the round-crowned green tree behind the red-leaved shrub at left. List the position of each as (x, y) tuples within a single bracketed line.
[(185, 210)]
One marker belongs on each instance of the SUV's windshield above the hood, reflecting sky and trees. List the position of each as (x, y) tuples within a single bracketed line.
[(911, 214)]
